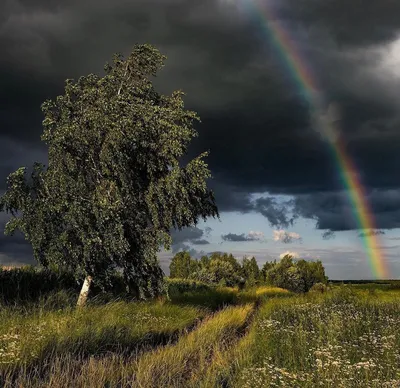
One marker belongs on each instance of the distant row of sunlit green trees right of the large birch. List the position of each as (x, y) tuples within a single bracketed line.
[(224, 269)]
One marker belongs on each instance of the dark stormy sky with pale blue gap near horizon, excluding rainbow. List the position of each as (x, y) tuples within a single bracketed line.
[(277, 184)]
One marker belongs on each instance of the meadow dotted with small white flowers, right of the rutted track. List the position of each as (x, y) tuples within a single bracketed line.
[(347, 337)]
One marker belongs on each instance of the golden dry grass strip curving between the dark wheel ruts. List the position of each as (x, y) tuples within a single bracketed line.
[(182, 364)]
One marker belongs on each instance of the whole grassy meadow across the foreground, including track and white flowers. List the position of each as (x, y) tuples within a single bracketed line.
[(264, 337)]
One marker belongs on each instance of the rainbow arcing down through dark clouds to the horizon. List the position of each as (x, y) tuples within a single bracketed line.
[(307, 84)]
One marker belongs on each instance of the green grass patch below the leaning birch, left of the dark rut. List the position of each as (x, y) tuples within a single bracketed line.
[(120, 327)]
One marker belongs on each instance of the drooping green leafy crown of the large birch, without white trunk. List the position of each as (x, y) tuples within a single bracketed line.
[(114, 187)]
